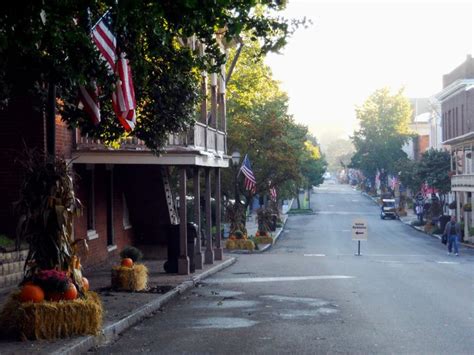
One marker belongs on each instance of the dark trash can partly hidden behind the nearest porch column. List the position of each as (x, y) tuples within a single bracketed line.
[(171, 265)]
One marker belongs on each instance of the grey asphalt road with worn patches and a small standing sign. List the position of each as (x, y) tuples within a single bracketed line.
[(311, 294)]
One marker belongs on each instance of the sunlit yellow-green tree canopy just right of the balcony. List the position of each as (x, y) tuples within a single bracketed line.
[(281, 151)]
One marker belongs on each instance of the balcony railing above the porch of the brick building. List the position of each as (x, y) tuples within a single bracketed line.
[(199, 138)]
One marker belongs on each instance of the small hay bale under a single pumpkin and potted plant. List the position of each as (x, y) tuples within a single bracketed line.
[(133, 278)]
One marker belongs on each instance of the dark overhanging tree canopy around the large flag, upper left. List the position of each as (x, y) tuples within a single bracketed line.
[(48, 42)]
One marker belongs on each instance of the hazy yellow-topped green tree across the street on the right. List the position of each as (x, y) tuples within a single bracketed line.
[(384, 120)]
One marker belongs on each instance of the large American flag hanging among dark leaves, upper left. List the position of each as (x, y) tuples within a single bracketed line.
[(123, 99)]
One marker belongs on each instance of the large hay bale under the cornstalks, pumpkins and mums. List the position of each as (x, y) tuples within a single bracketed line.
[(51, 320)]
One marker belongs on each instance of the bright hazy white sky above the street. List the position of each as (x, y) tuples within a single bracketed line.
[(355, 47)]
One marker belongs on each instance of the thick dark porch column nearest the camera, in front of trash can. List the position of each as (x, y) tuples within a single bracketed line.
[(183, 261)]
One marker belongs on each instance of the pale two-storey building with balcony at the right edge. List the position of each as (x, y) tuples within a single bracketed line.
[(457, 113)]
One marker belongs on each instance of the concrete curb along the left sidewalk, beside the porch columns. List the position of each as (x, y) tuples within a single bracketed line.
[(112, 330)]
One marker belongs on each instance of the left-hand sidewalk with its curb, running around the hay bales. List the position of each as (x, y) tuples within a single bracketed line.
[(124, 309)]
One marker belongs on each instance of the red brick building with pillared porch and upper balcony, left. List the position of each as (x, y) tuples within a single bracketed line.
[(126, 193)]
